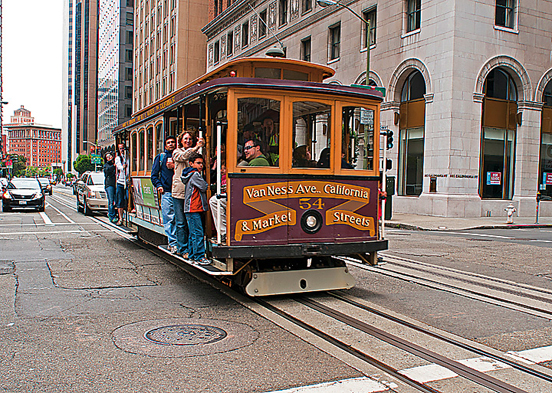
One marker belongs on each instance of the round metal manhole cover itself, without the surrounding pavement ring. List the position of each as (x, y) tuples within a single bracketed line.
[(186, 334)]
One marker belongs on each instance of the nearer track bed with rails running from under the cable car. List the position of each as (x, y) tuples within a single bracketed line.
[(383, 341)]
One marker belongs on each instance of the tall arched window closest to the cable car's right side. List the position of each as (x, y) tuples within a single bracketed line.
[(411, 135)]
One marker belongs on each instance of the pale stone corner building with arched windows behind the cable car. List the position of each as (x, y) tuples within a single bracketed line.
[(468, 88)]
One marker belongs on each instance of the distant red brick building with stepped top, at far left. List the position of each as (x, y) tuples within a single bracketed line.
[(40, 144)]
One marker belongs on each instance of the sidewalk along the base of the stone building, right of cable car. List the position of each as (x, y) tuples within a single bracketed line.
[(431, 223)]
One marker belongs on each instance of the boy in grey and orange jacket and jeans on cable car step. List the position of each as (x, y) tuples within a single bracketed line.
[(195, 203)]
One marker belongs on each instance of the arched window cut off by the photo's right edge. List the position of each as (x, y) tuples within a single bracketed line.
[(545, 167)]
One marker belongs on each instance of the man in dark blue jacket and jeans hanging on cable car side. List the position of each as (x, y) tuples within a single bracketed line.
[(162, 174)]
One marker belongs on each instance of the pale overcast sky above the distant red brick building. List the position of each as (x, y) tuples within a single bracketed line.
[(32, 42)]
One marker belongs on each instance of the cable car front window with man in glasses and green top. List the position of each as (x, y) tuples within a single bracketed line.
[(258, 124)]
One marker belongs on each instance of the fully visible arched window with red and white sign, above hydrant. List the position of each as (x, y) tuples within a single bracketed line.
[(498, 135)]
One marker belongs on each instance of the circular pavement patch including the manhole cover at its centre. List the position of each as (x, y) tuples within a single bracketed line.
[(181, 337)]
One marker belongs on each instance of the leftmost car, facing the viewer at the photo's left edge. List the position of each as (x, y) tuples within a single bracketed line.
[(23, 193)]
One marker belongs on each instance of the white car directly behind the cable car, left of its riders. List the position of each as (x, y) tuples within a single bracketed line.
[(91, 195)]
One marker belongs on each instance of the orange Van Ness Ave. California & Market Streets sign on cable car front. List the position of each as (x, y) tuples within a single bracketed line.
[(309, 195)]
